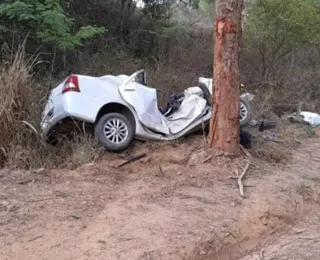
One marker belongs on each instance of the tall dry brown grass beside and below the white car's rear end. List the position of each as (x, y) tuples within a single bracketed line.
[(20, 116)]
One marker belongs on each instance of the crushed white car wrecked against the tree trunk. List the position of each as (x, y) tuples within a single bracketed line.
[(121, 108)]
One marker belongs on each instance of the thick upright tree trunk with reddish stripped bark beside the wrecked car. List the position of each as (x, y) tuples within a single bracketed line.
[(224, 124)]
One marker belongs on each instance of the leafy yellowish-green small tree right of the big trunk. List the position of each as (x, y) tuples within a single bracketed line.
[(279, 28)]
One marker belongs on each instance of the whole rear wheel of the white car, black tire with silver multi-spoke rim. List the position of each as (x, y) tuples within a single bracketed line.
[(114, 131)]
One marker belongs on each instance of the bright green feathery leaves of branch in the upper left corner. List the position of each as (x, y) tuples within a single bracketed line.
[(47, 20)]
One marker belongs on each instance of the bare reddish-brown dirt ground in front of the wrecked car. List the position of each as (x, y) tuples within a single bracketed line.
[(179, 202)]
